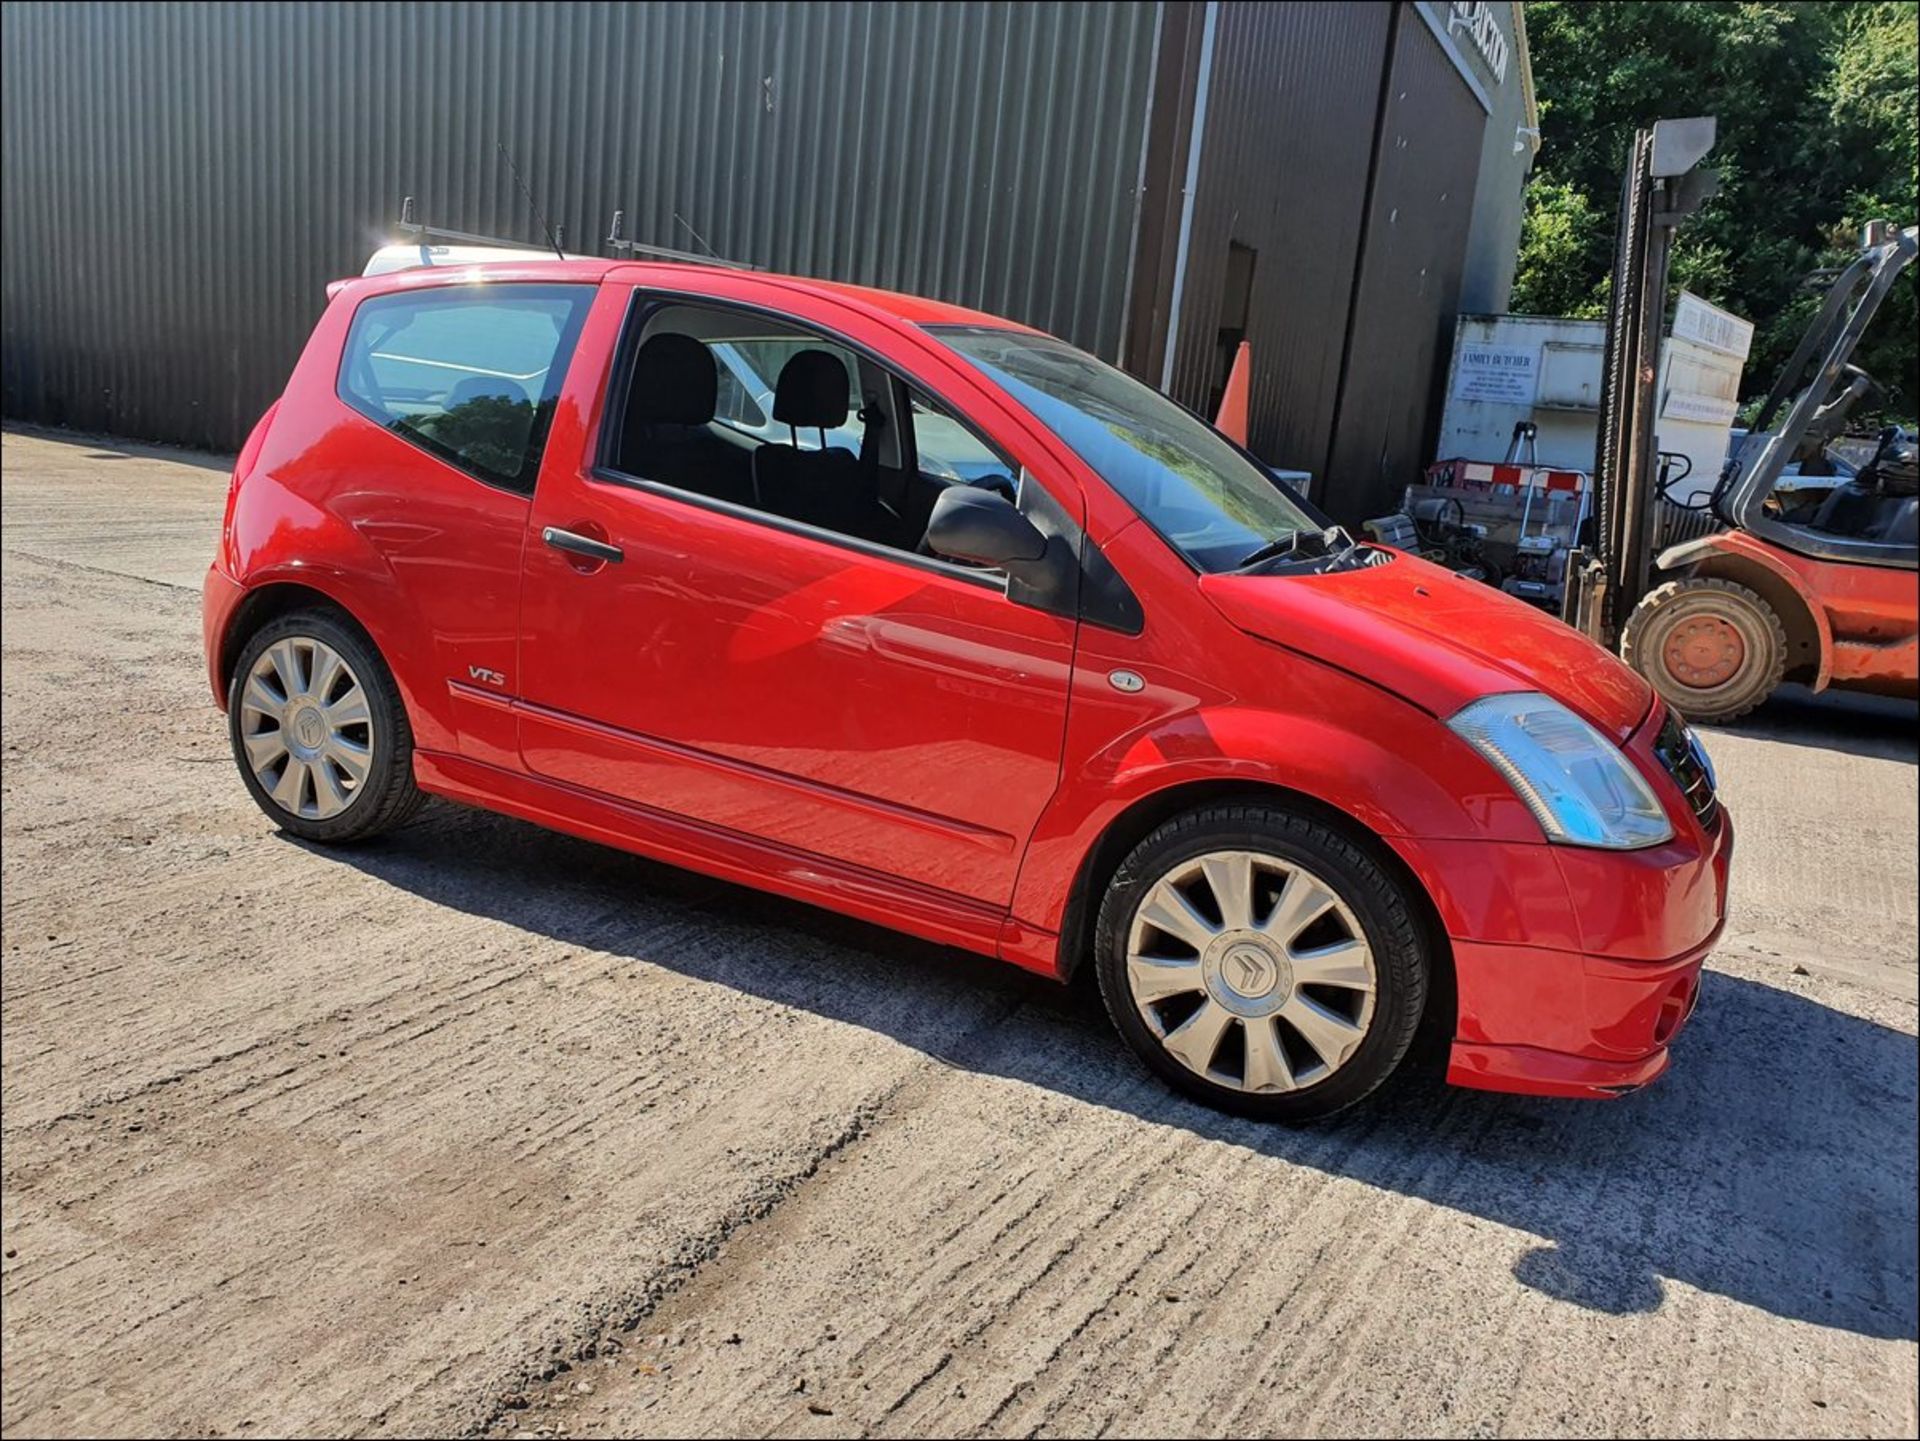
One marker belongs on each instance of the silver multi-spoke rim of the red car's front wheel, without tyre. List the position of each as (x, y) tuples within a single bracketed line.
[(1253, 972)]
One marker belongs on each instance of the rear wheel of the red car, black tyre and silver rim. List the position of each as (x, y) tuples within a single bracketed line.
[(320, 730)]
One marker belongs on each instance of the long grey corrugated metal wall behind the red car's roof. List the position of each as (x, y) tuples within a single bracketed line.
[(181, 181)]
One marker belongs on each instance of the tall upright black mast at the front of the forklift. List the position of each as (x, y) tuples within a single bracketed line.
[(1660, 193)]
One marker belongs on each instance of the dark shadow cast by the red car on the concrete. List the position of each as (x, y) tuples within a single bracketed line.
[(1775, 1164)]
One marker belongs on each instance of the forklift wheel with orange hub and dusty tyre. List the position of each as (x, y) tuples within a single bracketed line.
[(1712, 650)]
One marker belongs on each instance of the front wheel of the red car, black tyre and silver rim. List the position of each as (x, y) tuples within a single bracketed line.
[(1262, 962)]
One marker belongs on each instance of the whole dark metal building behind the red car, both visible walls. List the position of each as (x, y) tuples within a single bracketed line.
[(1151, 181)]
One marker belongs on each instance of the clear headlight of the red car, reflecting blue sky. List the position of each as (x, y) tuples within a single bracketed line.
[(1573, 780)]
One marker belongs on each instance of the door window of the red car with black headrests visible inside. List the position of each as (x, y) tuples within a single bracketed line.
[(761, 413)]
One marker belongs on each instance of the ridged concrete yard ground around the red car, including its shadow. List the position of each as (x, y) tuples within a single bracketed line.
[(487, 1131)]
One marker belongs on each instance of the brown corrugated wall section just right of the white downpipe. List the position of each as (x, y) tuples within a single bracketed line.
[(1284, 170)]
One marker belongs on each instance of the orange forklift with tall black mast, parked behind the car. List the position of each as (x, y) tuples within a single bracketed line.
[(1817, 575)]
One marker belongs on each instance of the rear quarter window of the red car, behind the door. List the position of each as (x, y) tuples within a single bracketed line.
[(468, 373)]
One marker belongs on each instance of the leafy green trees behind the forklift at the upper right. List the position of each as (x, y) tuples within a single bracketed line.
[(1817, 137)]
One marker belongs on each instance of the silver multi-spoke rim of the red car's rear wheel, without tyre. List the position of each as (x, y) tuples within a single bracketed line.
[(306, 728)]
